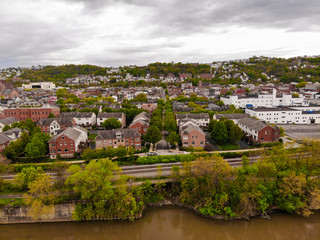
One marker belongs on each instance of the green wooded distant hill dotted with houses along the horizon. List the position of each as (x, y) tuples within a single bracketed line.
[(264, 69)]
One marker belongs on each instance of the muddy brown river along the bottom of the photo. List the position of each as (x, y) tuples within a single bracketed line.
[(172, 223)]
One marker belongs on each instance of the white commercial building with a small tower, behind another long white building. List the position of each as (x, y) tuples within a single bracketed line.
[(264, 100)]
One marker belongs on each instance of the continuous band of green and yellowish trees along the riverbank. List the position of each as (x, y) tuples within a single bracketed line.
[(285, 179)]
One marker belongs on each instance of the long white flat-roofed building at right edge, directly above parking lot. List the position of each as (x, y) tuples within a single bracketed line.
[(286, 115)]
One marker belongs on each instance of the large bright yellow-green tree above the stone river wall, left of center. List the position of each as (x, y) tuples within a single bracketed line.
[(99, 197)]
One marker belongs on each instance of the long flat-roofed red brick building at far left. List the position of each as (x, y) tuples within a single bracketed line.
[(35, 114)]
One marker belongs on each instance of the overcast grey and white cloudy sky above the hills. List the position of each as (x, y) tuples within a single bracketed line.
[(124, 32)]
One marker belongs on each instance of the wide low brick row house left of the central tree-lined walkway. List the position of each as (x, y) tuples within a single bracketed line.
[(119, 137)]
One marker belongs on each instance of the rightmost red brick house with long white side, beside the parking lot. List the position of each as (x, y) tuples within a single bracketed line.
[(258, 132)]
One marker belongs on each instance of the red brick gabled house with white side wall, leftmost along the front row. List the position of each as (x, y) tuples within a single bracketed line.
[(67, 142)]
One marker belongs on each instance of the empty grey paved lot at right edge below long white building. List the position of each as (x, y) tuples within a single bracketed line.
[(300, 132)]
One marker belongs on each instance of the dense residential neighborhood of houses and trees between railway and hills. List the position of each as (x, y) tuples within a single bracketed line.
[(116, 109)]
